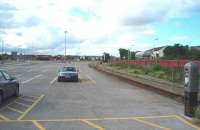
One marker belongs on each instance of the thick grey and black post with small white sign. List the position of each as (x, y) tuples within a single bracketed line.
[(191, 88)]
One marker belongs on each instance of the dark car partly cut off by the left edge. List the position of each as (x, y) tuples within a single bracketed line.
[(9, 86)]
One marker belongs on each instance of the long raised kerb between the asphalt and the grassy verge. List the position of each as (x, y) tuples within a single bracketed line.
[(162, 90)]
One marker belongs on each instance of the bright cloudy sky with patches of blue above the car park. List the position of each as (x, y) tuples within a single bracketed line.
[(97, 26)]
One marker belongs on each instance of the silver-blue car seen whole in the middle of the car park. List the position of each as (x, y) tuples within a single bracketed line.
[(68, 74)]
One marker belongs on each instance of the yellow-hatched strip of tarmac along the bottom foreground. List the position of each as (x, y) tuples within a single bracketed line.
[(169, 122)]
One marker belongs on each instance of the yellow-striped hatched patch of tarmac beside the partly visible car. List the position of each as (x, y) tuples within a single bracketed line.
[(18, 108)]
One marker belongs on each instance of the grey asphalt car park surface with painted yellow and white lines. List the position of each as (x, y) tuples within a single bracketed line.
[(97, 101)]
